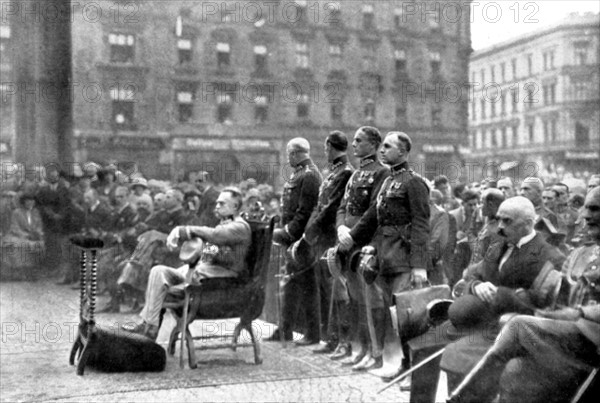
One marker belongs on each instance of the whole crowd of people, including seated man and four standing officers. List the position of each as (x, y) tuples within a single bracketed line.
[(352, 236)]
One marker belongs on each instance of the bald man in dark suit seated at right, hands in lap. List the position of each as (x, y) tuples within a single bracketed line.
[(502, 282)]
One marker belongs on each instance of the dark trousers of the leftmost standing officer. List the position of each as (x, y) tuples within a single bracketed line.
[(300, 309)]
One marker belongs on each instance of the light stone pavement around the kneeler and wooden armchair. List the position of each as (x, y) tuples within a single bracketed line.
[(39, 322)]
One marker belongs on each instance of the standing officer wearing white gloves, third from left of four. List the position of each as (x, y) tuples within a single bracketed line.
[(360, 193)]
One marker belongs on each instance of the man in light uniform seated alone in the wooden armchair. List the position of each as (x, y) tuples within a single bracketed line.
[(223, 255)]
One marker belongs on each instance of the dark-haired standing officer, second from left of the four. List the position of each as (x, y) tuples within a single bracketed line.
[(321, 233)]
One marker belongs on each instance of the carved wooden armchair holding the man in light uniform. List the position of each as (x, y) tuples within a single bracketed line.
[(224, 298)]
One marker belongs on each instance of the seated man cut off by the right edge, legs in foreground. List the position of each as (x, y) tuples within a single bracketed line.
[(545, 358)]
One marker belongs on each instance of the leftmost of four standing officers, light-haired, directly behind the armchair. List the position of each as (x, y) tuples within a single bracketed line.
[(300, 196)]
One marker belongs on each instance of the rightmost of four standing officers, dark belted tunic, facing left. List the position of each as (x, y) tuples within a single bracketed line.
[(398, 227)]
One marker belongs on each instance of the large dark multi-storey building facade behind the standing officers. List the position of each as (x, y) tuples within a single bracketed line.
[(178, 86)]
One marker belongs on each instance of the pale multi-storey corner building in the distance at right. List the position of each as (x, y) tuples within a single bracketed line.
[(537, 99)]
